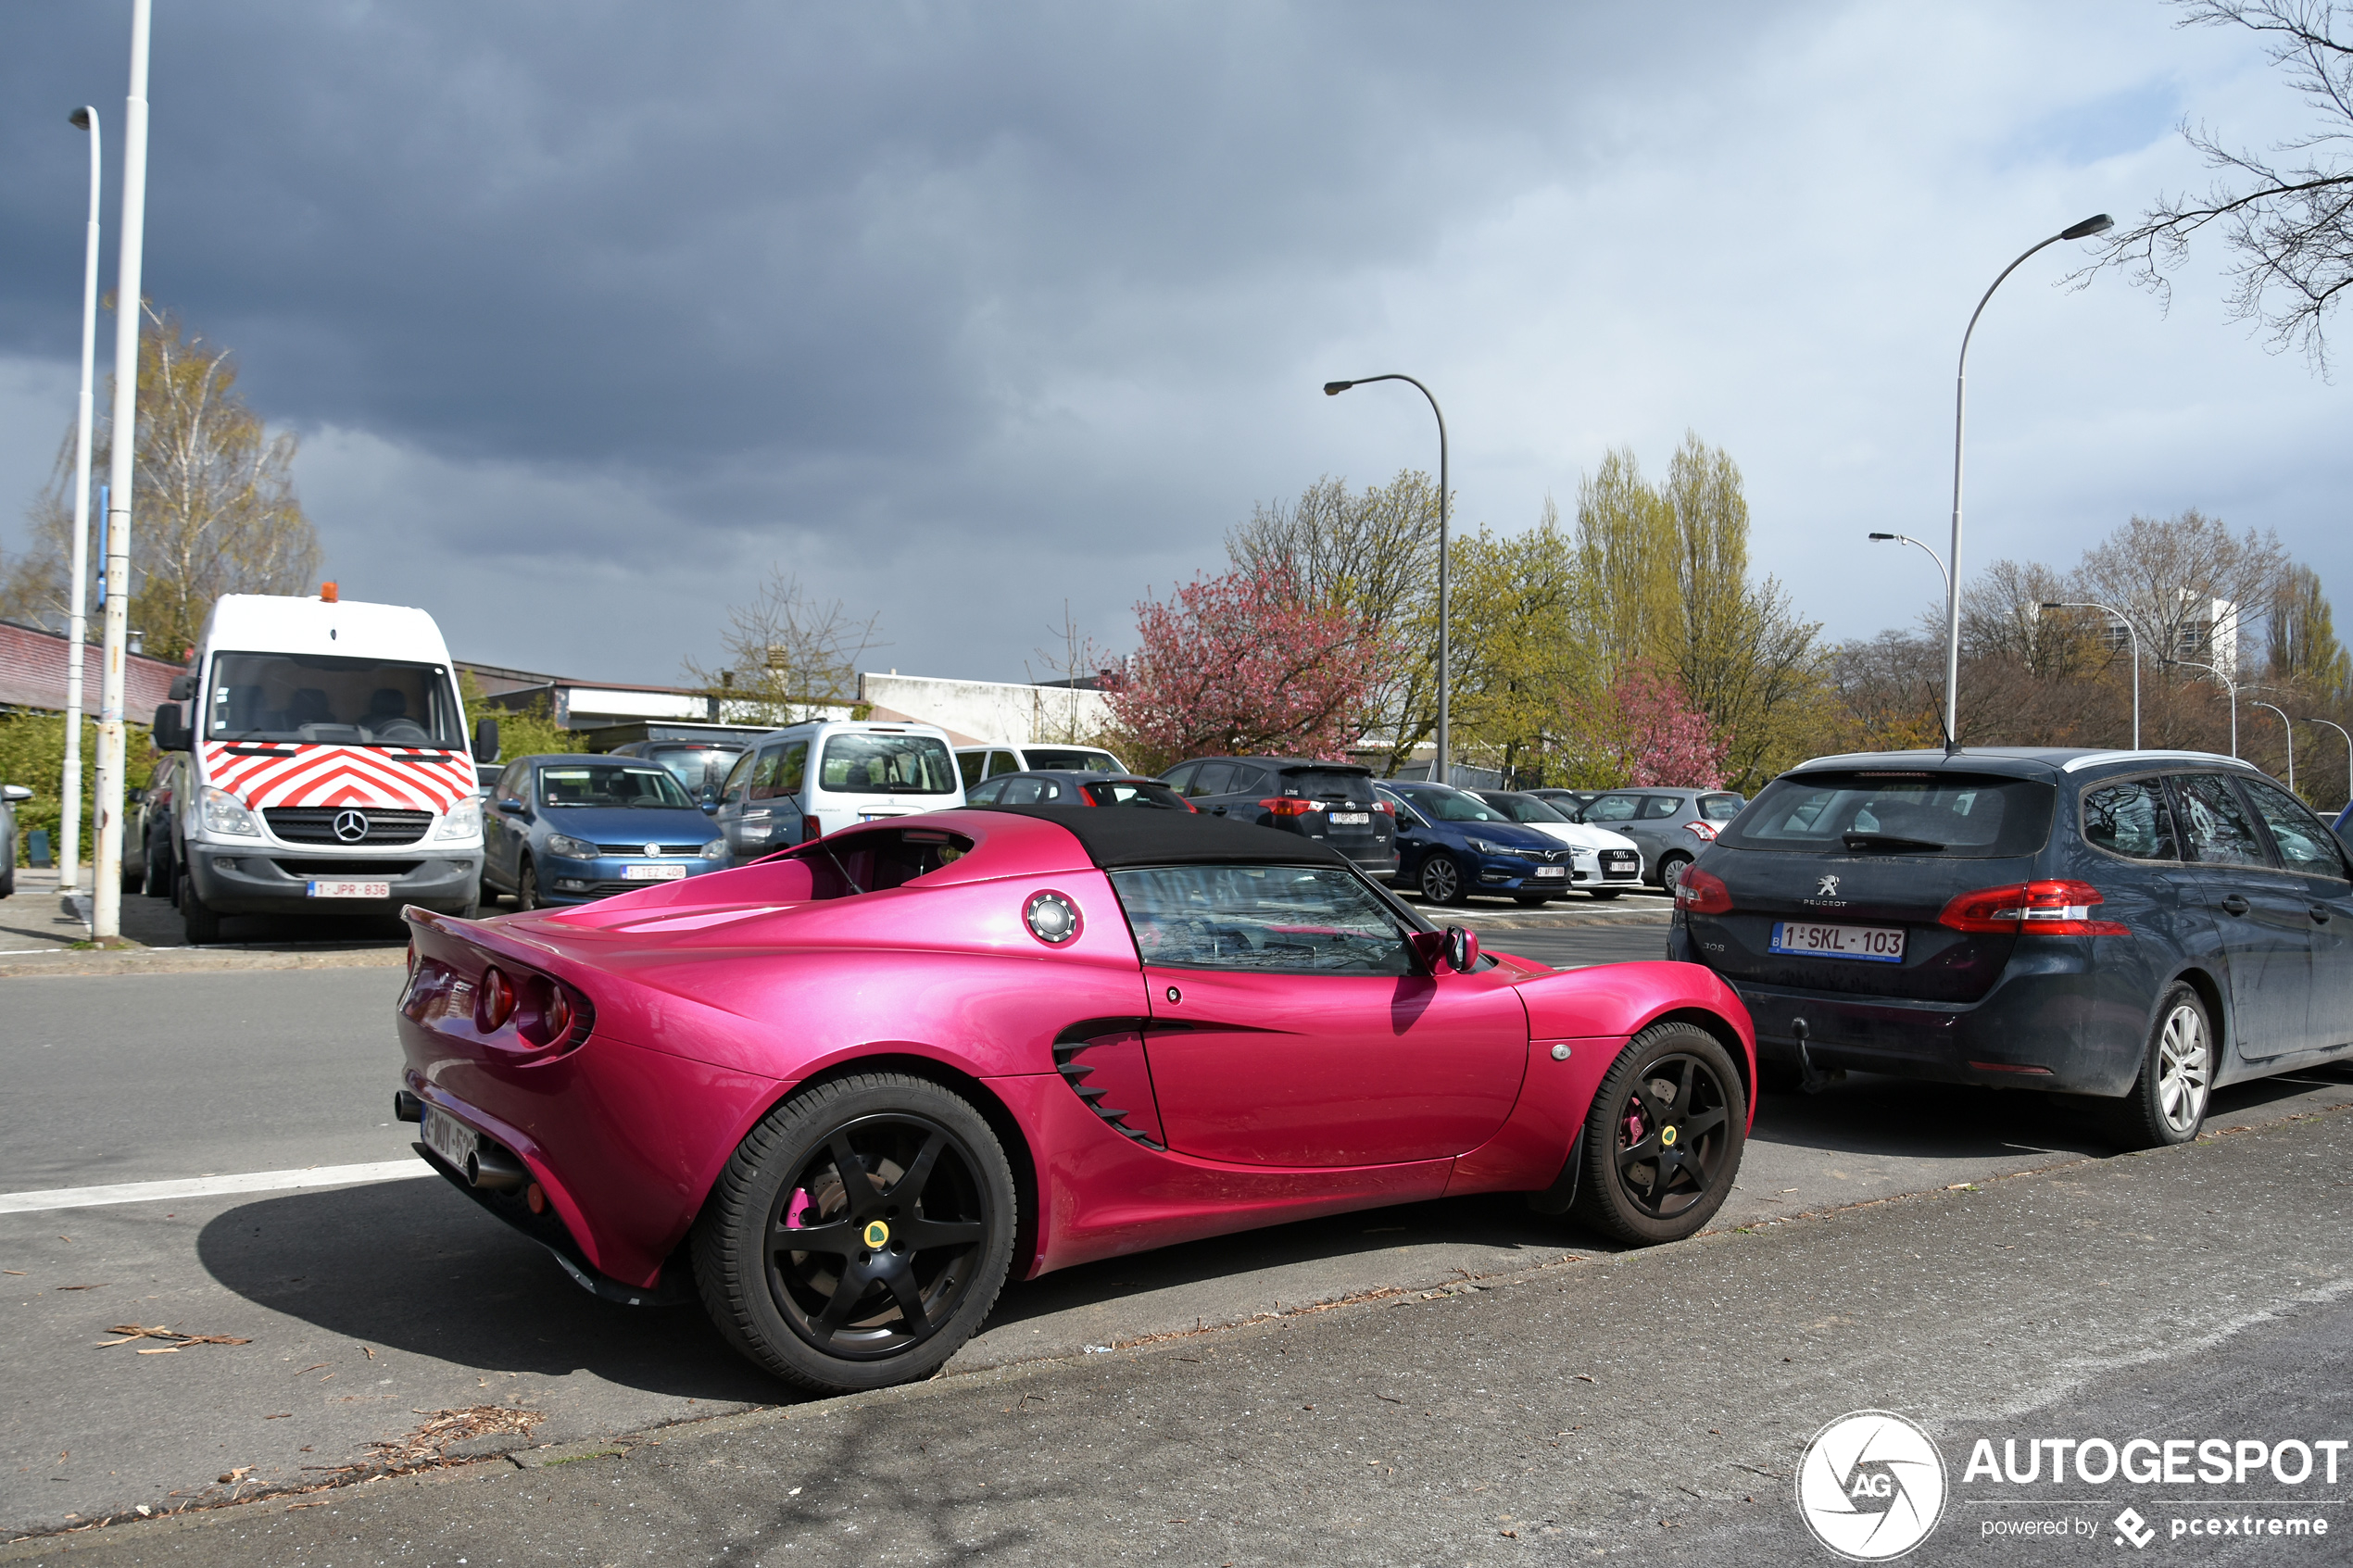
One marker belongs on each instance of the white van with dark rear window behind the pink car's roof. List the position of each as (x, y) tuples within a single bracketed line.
[(813, 779)]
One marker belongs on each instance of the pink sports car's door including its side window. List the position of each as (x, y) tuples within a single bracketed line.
[(1295, 1028)]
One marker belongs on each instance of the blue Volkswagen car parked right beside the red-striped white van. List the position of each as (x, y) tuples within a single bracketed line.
[(580, 829)]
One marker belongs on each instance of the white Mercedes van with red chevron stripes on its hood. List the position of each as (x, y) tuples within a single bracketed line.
[(328, 765)]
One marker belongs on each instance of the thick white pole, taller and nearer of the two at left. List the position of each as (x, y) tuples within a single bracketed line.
[(107, 892)]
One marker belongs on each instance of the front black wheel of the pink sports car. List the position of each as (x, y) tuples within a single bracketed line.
[(1665, 1137)]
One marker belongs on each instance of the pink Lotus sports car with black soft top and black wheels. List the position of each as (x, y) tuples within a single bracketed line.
[(846, 1090)]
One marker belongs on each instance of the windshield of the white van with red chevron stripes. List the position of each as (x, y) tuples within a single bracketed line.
[(333, 702)]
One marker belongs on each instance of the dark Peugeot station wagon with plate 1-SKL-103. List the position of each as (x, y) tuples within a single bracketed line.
[(2128, 925)]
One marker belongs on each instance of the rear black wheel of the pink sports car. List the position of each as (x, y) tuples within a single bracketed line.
[(860, 1233)]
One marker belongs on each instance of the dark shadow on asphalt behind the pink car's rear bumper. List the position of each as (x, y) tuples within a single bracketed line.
[(415, 1266)]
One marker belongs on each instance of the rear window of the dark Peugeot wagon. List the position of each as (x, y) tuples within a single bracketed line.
[(1957, 815)]
